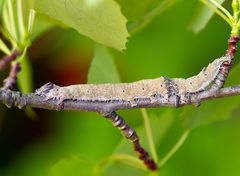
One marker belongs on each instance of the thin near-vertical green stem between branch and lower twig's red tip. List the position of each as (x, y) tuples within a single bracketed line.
[(149, 134)]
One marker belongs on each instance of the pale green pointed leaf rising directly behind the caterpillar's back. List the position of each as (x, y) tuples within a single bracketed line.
[(102, 69)]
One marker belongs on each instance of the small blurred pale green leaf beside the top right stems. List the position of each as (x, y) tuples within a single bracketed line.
[(201, 17)]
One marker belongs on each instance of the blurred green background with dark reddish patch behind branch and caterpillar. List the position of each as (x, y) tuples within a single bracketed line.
[(74, 143)]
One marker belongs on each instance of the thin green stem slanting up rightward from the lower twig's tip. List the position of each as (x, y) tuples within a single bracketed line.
[(175, 148)]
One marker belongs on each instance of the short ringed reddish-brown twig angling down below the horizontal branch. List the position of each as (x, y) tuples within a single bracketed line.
[(129, 133)]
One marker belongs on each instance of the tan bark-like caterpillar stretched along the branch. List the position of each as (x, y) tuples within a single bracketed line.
[(144, 93)]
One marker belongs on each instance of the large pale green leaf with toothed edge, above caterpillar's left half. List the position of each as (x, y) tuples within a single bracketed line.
[(101, 20)]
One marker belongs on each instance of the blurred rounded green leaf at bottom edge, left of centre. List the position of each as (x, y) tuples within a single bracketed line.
[(72, 166)]
